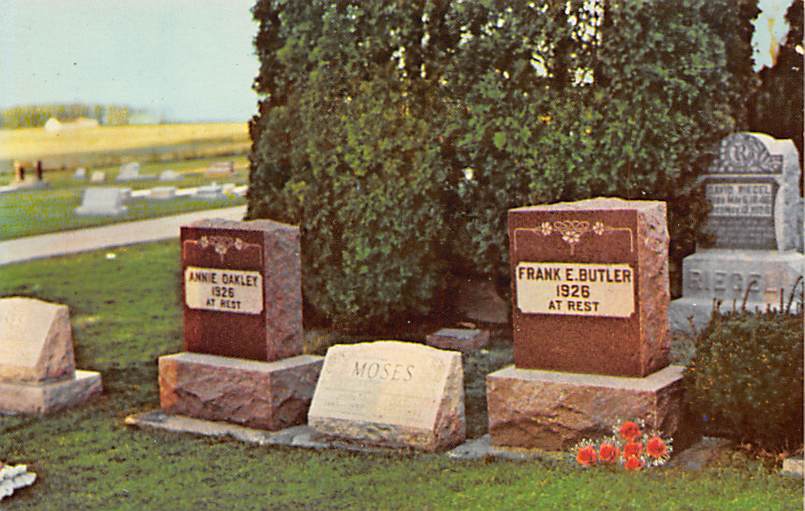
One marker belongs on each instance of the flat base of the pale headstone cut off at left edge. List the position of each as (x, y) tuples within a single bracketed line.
[(49, 396)]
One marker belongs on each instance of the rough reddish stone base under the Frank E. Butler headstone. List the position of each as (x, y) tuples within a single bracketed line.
[(532, 408)]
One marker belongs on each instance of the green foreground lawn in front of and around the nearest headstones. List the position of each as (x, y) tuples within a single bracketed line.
[(126, 312)]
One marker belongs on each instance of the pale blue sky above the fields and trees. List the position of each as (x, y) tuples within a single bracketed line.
[(188, 60)]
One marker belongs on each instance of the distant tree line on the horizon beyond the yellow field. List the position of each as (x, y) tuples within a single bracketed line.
[(31, 116)]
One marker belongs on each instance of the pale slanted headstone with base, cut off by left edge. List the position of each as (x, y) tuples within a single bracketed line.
[(37, 366)]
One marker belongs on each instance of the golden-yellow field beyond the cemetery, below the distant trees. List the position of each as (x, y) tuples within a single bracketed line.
[(111, 145)]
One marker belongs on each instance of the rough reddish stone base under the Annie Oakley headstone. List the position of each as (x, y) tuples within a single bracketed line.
[(264, 395)]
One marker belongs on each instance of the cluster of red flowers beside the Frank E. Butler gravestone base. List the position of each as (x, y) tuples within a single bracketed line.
[(630, 445)]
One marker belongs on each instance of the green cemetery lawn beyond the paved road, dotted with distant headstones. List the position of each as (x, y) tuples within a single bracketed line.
[(30, 212)]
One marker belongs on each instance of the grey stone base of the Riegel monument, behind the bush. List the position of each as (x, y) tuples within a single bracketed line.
[(725, 274)]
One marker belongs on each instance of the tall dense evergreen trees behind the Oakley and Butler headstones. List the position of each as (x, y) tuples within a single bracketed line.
[(399, 133)]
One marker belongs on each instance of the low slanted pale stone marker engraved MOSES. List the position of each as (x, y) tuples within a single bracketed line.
[(391, 393)]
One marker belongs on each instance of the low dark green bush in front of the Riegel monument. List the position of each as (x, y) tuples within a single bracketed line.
[(747, 378)]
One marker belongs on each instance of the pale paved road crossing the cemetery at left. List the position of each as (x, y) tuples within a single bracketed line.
[(107, 236)]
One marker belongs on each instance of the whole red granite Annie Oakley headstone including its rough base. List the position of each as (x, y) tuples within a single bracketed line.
[(243, 327)]
